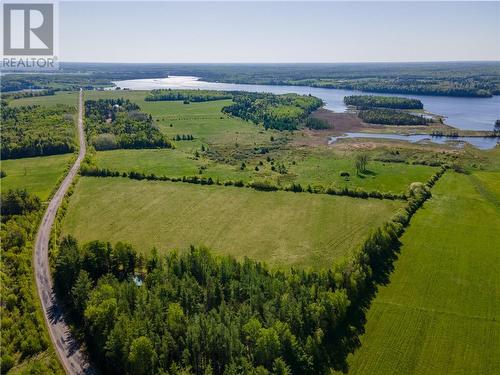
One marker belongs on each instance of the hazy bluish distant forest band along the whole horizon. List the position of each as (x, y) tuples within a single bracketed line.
[(475, 79)]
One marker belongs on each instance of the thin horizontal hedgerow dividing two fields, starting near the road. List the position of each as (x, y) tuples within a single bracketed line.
[(262, 185)]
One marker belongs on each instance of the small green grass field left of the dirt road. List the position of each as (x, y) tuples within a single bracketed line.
[(37, 175)]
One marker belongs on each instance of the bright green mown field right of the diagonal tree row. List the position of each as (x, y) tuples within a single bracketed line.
[(440, 314)]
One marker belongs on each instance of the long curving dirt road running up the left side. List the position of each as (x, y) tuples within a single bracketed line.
[(67, 348)]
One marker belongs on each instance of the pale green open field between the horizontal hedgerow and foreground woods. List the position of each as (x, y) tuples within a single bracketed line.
[(281, 228)]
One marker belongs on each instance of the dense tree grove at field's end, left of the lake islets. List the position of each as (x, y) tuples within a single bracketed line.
[(282, 112)]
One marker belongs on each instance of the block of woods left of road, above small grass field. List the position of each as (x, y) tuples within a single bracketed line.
[(36, 131)]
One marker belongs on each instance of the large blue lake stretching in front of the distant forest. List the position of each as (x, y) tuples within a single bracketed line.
[(462, 113)]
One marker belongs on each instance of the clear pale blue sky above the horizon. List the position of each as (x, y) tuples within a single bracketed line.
[(278, 32)]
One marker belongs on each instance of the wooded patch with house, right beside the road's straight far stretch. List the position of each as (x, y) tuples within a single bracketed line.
[(119, 123)]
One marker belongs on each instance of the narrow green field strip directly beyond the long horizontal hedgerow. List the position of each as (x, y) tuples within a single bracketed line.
[(313, 168)]
